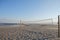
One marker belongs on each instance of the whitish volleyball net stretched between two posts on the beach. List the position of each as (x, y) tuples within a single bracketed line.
[(44, 21)]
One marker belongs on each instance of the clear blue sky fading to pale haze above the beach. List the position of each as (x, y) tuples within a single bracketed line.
[(29, 9)]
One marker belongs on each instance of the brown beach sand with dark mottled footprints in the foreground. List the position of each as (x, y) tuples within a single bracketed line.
[(29, 32)]
